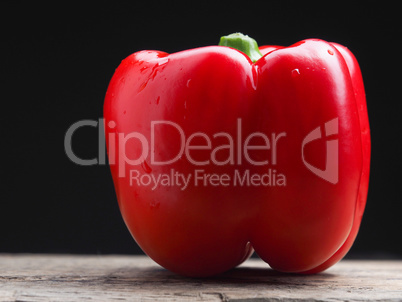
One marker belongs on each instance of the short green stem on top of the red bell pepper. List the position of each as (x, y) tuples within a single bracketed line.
[(243, 43)]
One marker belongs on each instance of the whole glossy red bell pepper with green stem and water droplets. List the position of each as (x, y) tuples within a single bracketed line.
[(221, 150)]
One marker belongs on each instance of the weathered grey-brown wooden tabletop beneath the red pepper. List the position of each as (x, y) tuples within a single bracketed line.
[(137, 278)]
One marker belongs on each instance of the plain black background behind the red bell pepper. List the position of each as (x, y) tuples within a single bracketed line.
[(57, 61)]
